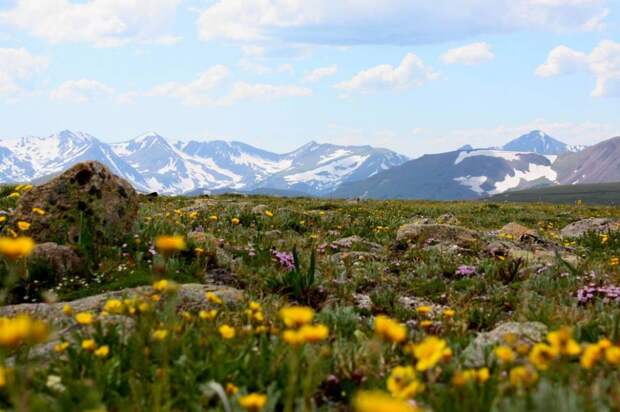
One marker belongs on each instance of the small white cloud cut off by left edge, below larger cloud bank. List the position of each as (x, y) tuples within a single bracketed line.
[(17, 65)]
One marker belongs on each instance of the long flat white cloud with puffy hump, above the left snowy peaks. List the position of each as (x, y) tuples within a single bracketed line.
[(202, 92)]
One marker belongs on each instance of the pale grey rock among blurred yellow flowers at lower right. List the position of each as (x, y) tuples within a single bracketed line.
[(474, 355)]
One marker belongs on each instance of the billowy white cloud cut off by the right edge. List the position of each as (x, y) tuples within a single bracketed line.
[(603, 62)]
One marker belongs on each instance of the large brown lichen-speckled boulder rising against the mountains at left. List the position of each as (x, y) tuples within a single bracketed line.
[(85, 201)]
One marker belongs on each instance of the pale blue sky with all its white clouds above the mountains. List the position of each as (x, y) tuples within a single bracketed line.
[(416, 76)]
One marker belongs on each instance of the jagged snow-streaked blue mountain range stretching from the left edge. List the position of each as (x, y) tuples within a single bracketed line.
[(152, 163)]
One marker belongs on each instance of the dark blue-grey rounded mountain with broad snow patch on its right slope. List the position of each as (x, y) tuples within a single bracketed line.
[(462, 174)]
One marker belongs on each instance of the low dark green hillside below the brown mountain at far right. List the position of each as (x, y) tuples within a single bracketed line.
[(592, 194)]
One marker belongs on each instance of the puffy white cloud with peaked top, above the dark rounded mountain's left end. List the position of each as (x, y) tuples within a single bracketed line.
[(411, 72)]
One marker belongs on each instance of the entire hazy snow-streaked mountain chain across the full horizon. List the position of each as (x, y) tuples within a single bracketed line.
[(154, 164)]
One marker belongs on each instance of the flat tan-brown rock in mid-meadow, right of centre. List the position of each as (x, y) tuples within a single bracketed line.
[(437, 233)]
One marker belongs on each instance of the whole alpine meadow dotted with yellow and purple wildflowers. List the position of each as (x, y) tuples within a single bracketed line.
[(335, 312)]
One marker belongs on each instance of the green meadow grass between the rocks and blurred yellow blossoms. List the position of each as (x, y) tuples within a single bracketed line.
[(182, 373)]
